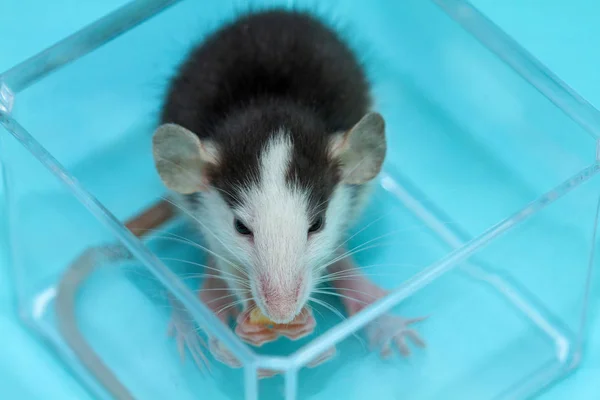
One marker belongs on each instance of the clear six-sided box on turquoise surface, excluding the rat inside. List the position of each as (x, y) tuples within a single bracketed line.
[(491, 175)]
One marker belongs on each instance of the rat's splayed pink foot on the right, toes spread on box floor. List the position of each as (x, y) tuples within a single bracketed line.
[(391, 331)]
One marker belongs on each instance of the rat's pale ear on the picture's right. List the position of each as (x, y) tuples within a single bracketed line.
[(361, 150)]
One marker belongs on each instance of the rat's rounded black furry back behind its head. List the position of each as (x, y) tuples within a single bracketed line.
[(276, 59)]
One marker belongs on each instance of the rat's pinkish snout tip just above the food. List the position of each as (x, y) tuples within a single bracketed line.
[(281, 301)]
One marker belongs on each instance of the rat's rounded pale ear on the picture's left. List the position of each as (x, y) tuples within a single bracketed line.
[(180, 158)]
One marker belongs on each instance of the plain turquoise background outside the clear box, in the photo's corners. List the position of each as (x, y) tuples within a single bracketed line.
[(562, 37)]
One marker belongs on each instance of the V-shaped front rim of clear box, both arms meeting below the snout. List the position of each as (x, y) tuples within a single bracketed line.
[(334, 335)]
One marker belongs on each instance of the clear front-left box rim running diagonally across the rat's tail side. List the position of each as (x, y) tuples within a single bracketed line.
[(165, 276)]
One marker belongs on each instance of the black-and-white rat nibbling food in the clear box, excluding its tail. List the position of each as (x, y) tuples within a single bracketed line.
[(269, 142)]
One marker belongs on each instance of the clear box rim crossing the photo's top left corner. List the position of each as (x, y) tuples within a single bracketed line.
[(83, 41)]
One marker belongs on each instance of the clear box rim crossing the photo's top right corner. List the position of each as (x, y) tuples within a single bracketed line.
[(524, 63)]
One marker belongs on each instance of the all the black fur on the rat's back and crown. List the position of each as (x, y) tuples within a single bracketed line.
[(263, 72)]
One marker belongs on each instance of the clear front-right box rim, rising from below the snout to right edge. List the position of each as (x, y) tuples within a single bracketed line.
[(345, 328)]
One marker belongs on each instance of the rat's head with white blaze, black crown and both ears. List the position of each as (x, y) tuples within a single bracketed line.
[(273, 200)]
